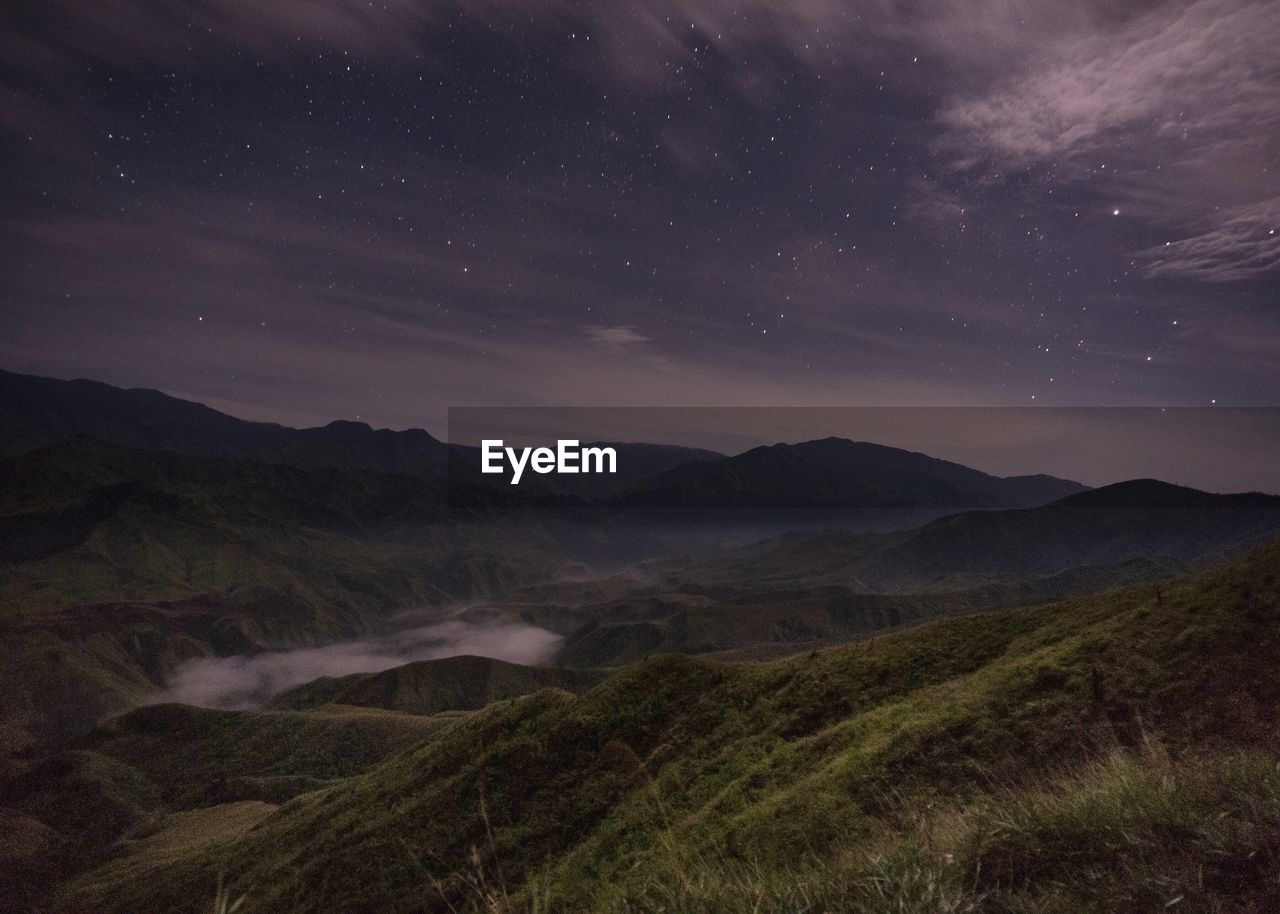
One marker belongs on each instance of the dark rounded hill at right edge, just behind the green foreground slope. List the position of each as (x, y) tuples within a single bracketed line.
[(1140, 520)]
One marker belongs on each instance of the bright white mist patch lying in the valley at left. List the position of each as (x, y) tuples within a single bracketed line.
[(248, 682)]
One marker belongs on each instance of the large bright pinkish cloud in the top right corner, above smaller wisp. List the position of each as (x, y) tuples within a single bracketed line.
[(1186, 76)]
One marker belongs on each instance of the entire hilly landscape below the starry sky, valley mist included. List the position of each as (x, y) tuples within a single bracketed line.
[(1007, 694)]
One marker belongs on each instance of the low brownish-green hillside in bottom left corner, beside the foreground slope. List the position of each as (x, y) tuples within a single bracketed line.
[(131, 779)]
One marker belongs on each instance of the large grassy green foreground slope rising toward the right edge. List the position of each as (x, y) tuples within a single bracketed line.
[(1113, 753)]
